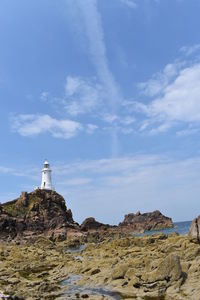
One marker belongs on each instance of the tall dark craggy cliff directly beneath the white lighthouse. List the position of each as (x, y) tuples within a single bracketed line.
[(38, 212)]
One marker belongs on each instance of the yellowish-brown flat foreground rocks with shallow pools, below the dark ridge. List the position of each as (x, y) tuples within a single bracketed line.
[(109, 267)]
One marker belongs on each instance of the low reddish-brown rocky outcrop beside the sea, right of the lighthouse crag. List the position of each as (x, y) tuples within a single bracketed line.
[(148, 221)]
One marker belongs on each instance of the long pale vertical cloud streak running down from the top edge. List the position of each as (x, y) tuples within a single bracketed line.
[(93, 29)]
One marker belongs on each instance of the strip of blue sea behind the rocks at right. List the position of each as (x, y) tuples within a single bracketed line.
[(179, 227)]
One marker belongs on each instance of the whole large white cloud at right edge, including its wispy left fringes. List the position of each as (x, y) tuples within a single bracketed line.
[(174, 98)]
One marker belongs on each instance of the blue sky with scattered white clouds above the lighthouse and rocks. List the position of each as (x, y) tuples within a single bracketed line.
[(109, 93)]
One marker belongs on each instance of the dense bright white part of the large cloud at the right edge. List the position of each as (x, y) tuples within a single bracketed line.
[(180, 100)]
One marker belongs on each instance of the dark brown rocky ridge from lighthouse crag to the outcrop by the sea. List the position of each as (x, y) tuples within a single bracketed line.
[(45, 212)]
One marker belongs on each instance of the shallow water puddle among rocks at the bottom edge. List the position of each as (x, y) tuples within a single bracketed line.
[(74, 289)]
